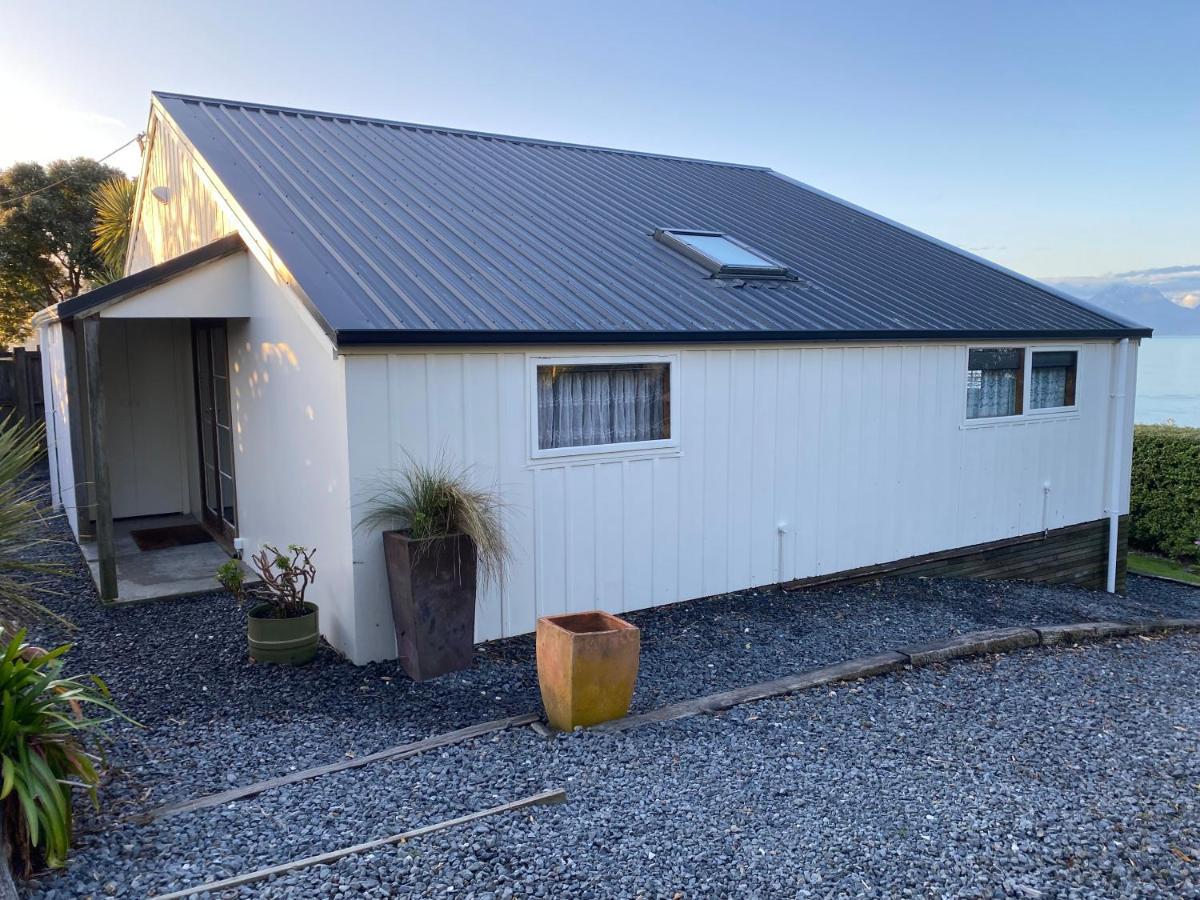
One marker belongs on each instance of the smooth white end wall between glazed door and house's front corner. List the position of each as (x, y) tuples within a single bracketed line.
[(289, 394)]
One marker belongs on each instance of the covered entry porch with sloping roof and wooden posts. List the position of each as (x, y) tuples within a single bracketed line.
[(140, 424)]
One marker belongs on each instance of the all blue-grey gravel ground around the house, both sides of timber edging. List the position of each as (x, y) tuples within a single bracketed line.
[(1091, 736)]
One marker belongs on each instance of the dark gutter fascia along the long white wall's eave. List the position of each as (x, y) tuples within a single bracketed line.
[(381, 338)]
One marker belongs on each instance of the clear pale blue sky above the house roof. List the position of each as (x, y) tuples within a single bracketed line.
[(1059, 139)]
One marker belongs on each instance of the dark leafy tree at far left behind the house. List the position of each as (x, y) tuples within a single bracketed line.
[(46, 237)]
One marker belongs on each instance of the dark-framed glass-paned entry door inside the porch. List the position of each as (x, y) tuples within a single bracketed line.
[(219, 497)]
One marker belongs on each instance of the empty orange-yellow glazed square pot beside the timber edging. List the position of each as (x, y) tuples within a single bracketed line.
[(587, 667)]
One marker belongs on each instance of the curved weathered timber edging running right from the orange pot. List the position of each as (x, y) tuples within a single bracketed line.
[(944, 650)]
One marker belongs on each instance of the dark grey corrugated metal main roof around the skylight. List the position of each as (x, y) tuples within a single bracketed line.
[(403, 232)]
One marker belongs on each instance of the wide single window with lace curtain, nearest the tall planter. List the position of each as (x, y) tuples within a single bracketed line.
[(604, 404)]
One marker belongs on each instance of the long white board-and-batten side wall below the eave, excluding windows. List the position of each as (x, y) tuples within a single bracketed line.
[(791, 463)]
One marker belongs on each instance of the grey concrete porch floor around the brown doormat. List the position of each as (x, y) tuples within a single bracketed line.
[(146, 575)]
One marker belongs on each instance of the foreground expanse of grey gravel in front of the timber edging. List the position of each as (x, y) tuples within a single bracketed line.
[(1053, 773)]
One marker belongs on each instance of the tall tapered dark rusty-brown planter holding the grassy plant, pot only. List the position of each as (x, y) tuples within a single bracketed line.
[(433, 586)]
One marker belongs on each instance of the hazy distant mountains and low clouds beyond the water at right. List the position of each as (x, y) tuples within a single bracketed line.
[(1167, 301)]
